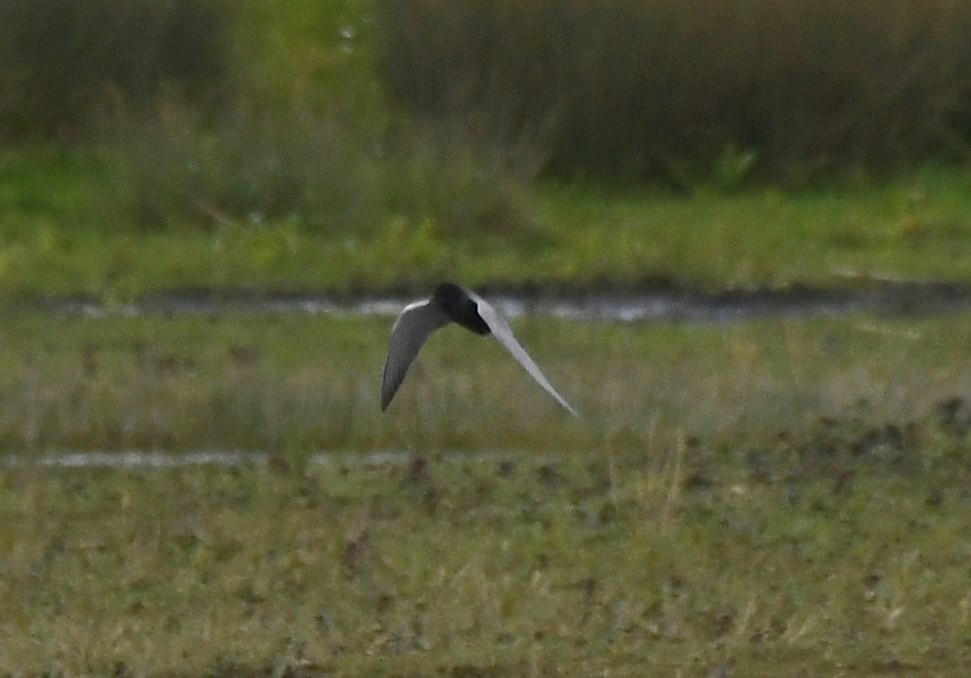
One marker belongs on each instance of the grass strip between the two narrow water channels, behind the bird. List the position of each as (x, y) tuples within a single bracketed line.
[(293, 384)]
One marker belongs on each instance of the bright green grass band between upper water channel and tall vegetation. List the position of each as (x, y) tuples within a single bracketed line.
[(58, 239)]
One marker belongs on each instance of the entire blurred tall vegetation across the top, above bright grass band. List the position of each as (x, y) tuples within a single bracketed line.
[(360, 117)]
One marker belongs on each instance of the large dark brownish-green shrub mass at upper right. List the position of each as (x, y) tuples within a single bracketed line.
[(663, 88)]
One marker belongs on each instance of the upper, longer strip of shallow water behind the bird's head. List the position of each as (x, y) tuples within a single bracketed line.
[(889, 298)]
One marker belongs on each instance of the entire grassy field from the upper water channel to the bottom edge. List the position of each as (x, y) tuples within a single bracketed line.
[(727, 500)]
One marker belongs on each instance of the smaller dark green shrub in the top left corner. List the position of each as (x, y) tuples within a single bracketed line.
[(63, 60)]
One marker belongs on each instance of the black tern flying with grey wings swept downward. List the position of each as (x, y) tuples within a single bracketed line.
[(450, 303)]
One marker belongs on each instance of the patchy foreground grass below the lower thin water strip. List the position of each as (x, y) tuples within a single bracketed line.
[(598, 562)]
